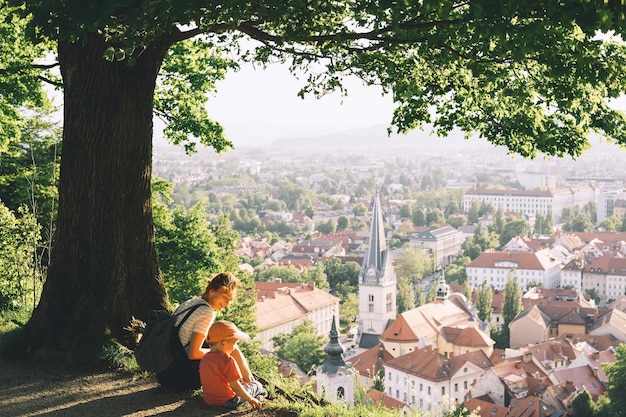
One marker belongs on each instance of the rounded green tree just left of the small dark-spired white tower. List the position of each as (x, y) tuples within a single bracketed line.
[(303, 346)]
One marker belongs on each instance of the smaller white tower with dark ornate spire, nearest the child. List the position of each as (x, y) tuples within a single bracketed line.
[(335, 378)]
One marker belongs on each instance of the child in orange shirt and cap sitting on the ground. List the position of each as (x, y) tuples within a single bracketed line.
[(222, 383)]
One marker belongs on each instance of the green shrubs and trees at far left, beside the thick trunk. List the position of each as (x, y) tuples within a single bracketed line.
[(28, 179)]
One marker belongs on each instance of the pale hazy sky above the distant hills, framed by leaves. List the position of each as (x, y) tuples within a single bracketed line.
[(262, 105)]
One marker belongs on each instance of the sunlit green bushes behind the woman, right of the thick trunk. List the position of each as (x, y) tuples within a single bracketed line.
[(191, 250)]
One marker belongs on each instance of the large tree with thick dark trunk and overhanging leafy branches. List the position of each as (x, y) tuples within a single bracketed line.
[(531, 76)]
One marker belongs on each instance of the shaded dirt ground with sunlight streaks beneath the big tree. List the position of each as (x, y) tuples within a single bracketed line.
[(29, 391)]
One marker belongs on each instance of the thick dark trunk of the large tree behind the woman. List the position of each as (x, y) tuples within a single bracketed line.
[(104, 268)]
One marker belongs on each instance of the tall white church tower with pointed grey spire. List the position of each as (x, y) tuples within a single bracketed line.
[(377, 281)]
